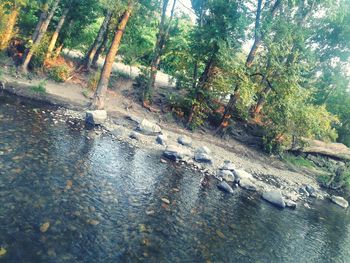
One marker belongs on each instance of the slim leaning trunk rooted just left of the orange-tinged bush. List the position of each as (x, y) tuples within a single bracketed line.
[(43, 28)]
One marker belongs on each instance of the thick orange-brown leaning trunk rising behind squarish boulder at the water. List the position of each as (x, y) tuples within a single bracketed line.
[(98, 102)]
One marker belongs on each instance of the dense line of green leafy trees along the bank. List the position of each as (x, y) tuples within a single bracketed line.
[(281, 64)]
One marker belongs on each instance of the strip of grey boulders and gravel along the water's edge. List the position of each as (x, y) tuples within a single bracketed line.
[(211, 161)]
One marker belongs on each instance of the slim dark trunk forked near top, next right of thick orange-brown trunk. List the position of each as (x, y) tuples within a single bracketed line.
[(160, 46)]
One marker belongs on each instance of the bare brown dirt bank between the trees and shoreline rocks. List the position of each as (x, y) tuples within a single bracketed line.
[(122, 103)]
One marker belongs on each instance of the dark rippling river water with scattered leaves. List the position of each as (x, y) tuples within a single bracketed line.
[(100, 200)]
